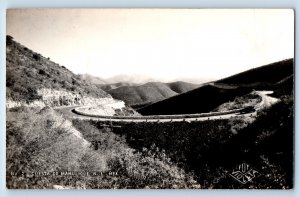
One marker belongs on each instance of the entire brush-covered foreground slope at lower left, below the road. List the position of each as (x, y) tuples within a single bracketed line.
[(43, 147)]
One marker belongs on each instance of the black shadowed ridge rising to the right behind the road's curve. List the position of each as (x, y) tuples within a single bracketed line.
[(276, 76)]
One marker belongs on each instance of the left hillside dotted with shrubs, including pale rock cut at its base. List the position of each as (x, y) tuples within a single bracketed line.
[(34, 79)]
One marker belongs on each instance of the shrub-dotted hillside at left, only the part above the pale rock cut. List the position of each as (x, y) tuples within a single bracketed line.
[(27, 71)]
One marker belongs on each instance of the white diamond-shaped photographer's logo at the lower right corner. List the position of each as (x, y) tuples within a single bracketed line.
[(243, 173)]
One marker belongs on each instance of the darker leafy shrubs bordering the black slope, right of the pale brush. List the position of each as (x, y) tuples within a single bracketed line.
[(150, 168)]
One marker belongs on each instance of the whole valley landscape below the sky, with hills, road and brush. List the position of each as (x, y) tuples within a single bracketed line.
[(154, 135)]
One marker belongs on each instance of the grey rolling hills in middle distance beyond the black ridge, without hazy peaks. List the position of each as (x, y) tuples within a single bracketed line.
[(140, 95)]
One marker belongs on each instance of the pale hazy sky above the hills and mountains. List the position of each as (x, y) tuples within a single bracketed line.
[(164, 44)]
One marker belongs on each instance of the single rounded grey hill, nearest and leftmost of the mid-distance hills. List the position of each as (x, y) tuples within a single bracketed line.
[(147, 93)]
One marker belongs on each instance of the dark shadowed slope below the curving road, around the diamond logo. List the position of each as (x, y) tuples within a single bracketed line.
[(211, 149)]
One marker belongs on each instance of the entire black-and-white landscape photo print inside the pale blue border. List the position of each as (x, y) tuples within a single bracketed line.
[(135, 98)]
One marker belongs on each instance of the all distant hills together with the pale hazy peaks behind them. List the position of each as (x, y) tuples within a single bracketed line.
[(139, 95)]
